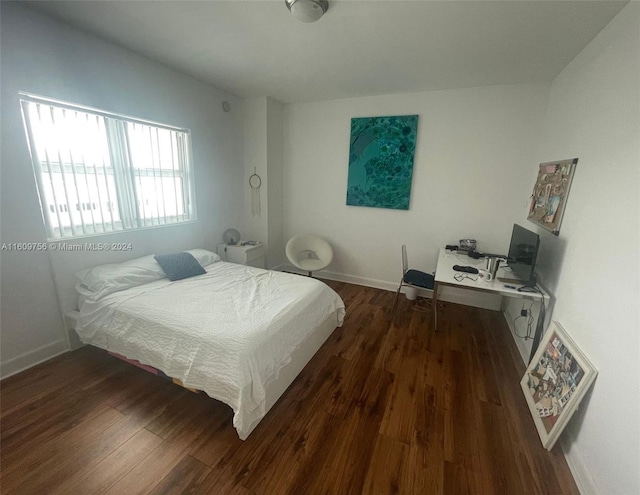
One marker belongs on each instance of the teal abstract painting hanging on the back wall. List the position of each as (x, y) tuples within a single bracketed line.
[(381, 161)]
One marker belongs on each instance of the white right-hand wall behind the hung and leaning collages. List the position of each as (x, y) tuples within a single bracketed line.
[(594, 265)]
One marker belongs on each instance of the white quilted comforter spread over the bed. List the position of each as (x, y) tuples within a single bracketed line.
[(228, 332)]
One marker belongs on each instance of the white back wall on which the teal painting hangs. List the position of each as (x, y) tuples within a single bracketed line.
[(470, 177)]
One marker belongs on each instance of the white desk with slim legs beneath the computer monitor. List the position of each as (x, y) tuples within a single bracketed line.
[(445, 275)]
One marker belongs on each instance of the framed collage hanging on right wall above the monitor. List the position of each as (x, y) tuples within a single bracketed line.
[(550, 194)]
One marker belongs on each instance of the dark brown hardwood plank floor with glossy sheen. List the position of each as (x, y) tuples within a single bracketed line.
[(382, 408)]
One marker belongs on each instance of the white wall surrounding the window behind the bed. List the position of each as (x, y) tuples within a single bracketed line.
[(49, 58)]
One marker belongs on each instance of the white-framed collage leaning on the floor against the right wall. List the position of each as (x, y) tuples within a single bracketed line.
[(555, 382)]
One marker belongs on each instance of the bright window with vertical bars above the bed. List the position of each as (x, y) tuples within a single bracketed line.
[(99, 172)]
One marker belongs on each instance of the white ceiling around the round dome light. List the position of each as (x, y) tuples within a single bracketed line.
[(359, 48)]
